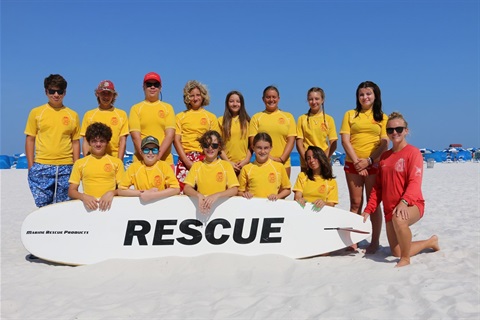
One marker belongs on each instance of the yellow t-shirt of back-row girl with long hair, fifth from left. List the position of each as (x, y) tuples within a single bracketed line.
[(237, 146)]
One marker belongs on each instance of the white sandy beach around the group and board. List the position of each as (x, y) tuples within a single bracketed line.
[(440, 285)]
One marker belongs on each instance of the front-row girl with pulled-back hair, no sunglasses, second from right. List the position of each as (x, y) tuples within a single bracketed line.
[(264, 178)]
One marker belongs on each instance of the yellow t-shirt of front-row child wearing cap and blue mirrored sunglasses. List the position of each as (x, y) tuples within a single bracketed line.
[(142, 177)]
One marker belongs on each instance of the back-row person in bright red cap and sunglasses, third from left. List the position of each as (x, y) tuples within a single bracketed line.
[(152, 117)]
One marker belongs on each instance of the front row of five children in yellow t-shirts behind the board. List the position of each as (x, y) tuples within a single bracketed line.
[(207, 180)]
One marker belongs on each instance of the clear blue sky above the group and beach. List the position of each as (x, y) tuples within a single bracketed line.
[(424, 55)]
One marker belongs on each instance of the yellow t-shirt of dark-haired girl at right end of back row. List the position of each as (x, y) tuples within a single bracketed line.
[(365, 133)]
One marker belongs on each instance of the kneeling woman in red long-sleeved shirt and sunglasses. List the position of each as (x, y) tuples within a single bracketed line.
[(398, 187)]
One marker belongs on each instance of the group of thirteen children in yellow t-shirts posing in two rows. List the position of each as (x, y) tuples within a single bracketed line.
[(215, 155)]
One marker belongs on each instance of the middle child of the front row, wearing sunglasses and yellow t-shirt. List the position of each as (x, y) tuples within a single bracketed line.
[(211, 178)]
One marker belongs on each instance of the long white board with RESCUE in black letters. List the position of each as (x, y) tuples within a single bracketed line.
[(69, 234)]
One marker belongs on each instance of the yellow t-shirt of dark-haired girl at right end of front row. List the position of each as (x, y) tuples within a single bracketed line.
[(325, 190)]
